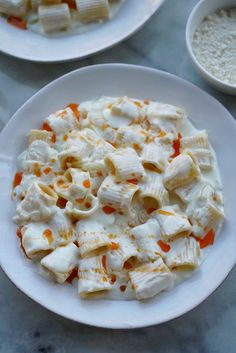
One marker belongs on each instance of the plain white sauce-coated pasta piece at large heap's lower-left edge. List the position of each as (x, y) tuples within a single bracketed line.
[(61, 262)]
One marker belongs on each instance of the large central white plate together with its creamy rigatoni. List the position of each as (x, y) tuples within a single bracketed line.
[(118, 200)]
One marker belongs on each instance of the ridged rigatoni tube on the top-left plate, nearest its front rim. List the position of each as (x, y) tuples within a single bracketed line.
[(55, 17)]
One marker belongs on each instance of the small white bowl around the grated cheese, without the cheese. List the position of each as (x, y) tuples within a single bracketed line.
[(199, 12)]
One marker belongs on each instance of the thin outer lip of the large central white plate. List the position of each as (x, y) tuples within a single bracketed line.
[(147, 322)]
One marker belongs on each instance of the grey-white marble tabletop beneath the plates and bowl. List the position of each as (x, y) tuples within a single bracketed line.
[(26, 327)]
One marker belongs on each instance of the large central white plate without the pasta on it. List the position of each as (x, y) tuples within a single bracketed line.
[(137, 82)]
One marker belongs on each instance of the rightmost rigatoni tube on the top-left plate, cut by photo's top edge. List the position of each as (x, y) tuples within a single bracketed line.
[(93, 10)]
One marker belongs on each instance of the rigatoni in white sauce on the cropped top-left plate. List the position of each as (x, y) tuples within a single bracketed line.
[(48, 17)]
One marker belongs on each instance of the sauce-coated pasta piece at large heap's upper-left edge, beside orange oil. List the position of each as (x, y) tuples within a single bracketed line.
[(62, 121)]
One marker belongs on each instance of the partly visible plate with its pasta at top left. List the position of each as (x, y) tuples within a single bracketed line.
[(61, 30)]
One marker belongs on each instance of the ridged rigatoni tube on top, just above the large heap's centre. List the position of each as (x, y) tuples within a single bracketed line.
[(124, 164)]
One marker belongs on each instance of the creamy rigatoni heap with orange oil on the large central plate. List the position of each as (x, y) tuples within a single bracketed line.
[(118, 195)]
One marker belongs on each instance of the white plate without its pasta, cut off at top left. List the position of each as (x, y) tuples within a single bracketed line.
[(34, 47)]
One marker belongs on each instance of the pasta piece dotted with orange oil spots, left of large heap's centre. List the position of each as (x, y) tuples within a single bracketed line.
[(73, 185)]
